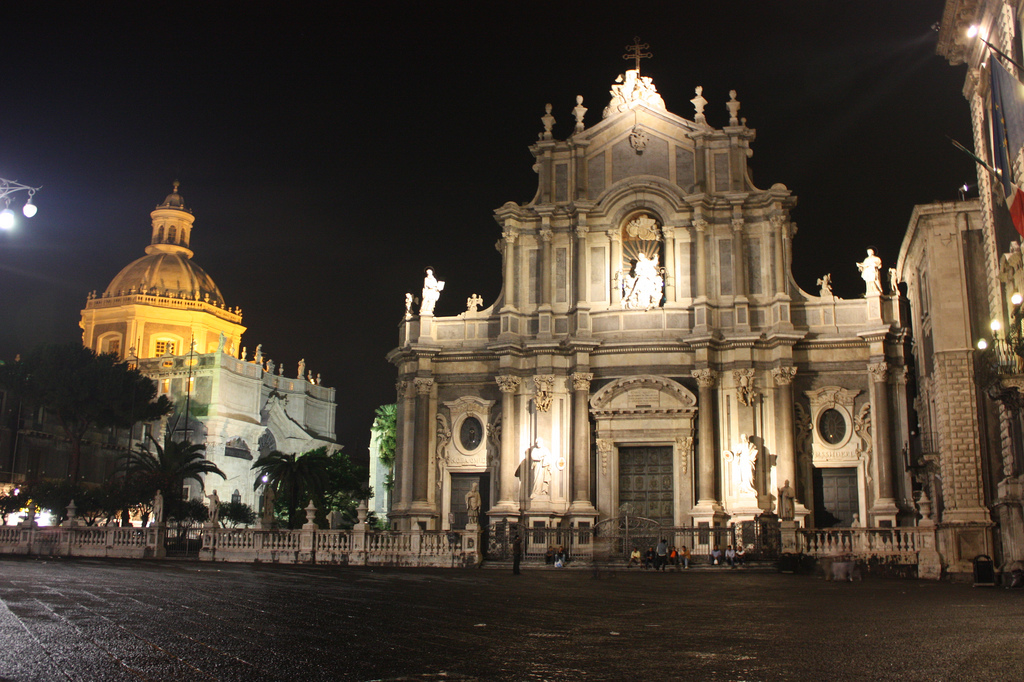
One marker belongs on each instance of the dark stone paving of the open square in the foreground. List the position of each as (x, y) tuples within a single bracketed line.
[(86, 620)]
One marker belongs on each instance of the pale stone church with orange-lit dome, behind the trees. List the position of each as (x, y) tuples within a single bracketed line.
[(167, 317)]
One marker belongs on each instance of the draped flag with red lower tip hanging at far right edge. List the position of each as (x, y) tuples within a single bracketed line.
[(1008, 137)]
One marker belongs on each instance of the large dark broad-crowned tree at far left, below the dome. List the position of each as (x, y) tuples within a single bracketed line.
[(83, 391)]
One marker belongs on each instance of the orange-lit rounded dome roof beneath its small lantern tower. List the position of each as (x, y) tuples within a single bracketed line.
[(163, 274)]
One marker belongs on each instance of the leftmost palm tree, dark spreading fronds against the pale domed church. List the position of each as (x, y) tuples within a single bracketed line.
[(172, 466)]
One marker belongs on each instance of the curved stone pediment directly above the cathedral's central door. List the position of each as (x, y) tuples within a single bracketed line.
[(644, 396)]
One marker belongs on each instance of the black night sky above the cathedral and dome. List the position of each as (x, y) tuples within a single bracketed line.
[(329, 154)]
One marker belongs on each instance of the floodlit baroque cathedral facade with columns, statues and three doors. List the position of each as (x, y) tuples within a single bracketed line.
[(651, 353)]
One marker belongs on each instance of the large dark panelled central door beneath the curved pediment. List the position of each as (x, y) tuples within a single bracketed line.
[(646, 483)]
